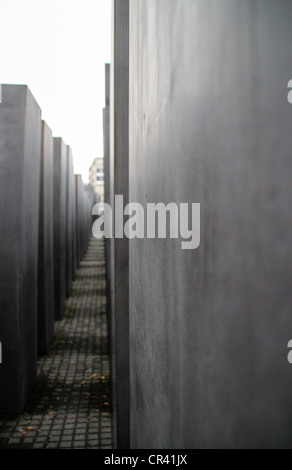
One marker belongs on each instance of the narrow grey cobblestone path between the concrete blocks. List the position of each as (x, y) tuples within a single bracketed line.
[(70, 405)]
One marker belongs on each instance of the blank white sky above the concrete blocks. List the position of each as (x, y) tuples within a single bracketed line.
[(58, 48)]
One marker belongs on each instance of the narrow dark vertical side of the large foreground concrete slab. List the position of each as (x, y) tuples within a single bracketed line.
[(119, 177)]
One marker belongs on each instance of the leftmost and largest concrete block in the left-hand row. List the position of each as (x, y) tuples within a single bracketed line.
[(20, 149)]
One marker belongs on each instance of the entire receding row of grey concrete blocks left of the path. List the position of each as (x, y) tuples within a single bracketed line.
[(45, 223)]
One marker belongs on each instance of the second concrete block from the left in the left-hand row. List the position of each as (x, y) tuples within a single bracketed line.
[(46, 300)]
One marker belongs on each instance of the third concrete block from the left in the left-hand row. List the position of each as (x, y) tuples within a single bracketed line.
[(60, 179)]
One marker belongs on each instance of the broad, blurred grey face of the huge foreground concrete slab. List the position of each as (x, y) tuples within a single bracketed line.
[(210, 123)]
